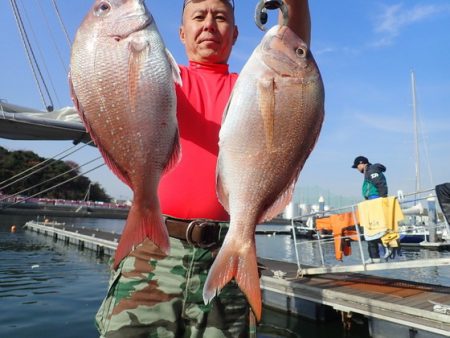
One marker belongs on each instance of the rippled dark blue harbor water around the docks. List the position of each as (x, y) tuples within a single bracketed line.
[(49, 289)]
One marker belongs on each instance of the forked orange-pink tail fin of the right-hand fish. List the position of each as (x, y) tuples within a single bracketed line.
[(238, 262)]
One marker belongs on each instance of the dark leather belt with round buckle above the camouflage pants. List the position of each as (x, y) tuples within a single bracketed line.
[(200, 233)]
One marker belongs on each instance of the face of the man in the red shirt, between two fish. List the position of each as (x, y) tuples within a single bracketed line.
[(208, 30)]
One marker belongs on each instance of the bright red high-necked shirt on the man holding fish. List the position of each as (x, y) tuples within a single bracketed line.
[(189, 190)]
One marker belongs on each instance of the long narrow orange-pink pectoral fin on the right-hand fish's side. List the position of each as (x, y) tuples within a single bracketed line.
[(266, 101)]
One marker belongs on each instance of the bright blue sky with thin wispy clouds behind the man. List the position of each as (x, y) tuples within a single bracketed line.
[(365, 50)]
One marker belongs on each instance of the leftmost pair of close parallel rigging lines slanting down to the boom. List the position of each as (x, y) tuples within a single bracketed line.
[(31, 57)]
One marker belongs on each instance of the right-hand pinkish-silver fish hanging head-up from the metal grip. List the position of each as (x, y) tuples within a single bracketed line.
[(271, 125)]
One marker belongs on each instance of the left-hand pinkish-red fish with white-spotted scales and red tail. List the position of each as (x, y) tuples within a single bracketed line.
[(123, 85)]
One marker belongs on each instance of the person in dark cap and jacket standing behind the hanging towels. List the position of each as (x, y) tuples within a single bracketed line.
[(374, 186)]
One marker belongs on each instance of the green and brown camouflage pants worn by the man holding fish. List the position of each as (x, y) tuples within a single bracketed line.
[(152, 295)]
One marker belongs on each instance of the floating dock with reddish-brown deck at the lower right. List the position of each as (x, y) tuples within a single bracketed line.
[(409, 306)]
